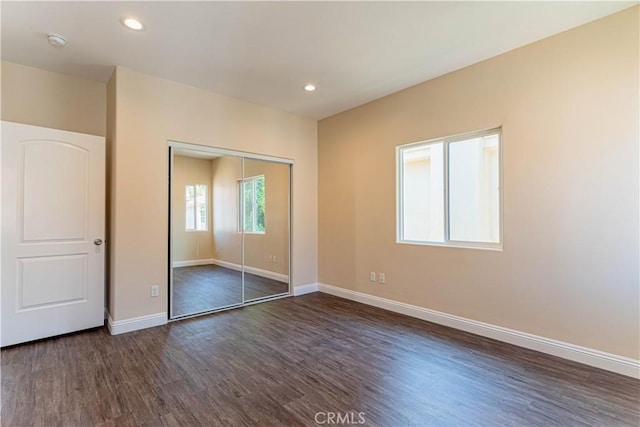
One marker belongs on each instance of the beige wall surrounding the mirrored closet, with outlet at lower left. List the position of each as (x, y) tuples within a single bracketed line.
[(150, 111)]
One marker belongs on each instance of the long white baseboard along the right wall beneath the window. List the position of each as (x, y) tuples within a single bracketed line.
[(588, 356)]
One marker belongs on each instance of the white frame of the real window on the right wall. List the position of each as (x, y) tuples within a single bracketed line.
[(446, 142)]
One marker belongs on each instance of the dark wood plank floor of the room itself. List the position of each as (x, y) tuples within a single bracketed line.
[(282, 362)]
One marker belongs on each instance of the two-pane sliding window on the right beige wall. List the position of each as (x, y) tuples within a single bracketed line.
[(449, 191)]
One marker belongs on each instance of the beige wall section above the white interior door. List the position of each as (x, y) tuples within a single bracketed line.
[(43, 98)]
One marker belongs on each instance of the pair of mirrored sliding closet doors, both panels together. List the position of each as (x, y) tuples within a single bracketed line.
[(229, 229)]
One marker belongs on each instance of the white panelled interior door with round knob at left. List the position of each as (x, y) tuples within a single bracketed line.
[(53, 188)]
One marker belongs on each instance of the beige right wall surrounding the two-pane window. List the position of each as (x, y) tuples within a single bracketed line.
[(568, 106)]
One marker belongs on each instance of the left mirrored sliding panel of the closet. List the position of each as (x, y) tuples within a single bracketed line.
[(206, 245)]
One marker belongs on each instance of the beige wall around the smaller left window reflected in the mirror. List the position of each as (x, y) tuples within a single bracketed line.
[(190, 245)]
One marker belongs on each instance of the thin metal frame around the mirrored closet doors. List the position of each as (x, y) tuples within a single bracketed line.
[(178, 145)]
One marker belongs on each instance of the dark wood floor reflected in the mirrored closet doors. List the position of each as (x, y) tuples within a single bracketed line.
[(206, 287)]
